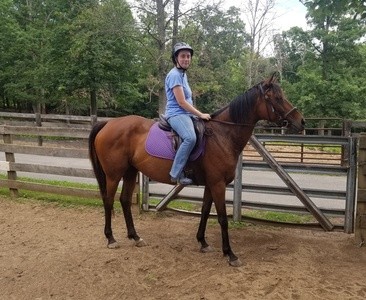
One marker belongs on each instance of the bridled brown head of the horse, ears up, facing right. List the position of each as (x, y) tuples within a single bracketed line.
[(278, 109)]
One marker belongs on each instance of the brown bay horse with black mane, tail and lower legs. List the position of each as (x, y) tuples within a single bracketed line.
[(117, 151)]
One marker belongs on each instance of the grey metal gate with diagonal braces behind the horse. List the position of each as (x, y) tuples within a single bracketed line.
[(347, 169)]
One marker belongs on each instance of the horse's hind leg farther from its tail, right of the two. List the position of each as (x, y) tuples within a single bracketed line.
[(128, 187)]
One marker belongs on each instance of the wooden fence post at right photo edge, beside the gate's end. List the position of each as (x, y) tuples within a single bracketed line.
[(360, 224)]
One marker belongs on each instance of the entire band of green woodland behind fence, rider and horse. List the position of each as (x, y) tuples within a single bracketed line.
[(110, 56)]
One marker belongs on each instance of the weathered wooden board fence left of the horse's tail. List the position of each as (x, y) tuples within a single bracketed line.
[(10, 165)]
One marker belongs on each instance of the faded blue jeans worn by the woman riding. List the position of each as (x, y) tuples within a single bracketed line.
[(183, 125)]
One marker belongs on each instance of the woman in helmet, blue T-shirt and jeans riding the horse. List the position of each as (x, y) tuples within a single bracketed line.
[(179, 109)]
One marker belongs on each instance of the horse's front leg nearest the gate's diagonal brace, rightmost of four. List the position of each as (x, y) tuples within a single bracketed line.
[(218, 194)]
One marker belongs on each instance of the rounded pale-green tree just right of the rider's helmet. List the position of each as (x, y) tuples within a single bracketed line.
[(220, 42)]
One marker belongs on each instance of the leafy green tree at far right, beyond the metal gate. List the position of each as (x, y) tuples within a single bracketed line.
[(331, 70)]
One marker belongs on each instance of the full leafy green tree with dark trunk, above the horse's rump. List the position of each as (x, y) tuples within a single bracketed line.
[(102, 50)]
